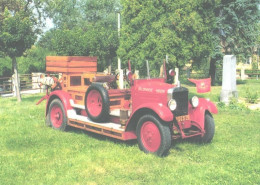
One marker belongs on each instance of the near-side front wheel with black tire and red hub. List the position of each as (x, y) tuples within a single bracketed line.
[(153, 136)]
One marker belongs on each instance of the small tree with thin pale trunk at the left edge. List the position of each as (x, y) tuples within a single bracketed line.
[(17, 32)]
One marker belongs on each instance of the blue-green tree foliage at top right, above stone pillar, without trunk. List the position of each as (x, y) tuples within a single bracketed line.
[(237, 24)]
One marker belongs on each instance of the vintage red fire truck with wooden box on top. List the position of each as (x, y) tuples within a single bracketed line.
[(150, 110)]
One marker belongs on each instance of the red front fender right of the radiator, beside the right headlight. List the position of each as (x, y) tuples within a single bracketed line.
[(197, 114)]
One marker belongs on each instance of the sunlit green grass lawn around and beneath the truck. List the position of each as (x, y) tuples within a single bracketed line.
[(31, 153)]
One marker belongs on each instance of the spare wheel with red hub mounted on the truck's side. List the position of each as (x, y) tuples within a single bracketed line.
[(97, 103)]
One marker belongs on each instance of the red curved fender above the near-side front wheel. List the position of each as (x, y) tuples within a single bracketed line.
[(162, 111)]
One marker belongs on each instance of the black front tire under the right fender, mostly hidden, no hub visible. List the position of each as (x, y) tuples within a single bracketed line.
[(209, 130)]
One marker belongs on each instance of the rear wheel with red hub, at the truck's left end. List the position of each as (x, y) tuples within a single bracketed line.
[(56, 117)]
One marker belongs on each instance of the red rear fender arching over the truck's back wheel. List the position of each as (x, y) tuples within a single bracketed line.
[(63, 96)]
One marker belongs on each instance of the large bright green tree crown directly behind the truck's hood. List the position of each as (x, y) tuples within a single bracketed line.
[(153, 29)]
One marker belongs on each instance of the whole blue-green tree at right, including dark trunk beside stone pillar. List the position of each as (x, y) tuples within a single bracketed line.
[(235, 31)]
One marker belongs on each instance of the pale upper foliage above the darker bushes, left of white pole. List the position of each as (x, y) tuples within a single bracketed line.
[(67, 14)]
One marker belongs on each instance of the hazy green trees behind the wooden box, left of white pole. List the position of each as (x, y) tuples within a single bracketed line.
[(83, 28)]
